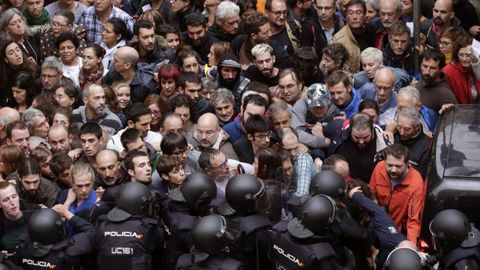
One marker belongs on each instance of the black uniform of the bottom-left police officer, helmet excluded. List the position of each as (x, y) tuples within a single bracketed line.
[(62, 255)]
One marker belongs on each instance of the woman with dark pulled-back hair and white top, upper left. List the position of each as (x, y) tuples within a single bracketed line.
[(115, 34)]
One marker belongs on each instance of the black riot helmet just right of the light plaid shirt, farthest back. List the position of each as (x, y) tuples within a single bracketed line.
[(328, 183)]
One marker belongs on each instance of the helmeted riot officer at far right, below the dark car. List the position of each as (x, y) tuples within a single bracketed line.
[(455, 240)]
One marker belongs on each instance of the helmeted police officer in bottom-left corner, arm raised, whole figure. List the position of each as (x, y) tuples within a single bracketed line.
[(46, 245)]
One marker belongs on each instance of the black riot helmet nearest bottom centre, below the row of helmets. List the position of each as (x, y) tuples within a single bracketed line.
[(207, 234)]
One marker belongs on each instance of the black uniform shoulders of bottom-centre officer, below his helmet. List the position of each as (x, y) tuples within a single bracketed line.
[(186, 262)]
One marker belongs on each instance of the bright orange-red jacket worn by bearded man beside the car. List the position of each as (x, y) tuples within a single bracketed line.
[(404, 203)]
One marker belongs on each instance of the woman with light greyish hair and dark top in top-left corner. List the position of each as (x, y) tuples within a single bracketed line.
[(13, 25)]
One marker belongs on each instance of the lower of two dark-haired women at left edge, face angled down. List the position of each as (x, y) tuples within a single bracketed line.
[(23, 91)]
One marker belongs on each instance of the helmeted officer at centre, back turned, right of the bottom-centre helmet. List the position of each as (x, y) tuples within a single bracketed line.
[(244, 208)]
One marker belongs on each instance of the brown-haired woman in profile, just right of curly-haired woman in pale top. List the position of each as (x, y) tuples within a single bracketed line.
[(92, 70)]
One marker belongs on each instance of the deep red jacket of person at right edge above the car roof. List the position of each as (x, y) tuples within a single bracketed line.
[(459, 81)]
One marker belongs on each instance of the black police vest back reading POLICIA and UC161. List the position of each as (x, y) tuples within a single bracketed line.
[(126, 245)]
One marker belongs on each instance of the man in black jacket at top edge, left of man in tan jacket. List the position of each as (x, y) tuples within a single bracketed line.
[(320, 28)]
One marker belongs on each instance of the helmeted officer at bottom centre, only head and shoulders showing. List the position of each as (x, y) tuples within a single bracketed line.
[(208, 240)]
